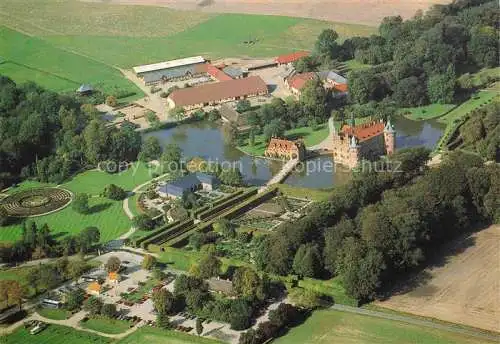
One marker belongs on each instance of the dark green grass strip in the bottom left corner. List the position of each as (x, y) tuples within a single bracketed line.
[(54, 334)]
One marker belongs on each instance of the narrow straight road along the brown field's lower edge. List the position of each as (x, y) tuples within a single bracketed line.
[(419, 322)]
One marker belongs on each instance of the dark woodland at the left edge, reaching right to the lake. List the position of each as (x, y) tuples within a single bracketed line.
[(47, 136)]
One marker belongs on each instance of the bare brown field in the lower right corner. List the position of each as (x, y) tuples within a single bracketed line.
[(463, 288)]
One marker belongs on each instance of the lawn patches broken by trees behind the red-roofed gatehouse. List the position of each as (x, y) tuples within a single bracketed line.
[(311, 137)]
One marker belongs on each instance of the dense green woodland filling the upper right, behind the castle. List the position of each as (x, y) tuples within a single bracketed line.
[(417, 61)]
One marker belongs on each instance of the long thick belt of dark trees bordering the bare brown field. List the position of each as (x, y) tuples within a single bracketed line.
[(384, 224)]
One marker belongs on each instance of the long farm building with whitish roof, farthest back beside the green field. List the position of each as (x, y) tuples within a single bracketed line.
[(170, 70)]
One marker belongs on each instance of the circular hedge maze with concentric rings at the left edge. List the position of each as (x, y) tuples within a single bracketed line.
[(35, 202)]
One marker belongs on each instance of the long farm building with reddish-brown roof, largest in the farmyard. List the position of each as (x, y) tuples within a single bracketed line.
[(217, 93)]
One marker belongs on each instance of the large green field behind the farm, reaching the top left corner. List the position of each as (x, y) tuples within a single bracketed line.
[(70, 42)]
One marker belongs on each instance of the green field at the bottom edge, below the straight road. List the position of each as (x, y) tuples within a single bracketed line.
[(329, 326)]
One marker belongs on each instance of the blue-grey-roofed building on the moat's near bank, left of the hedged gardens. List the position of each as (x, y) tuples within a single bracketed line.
[(190, 182)]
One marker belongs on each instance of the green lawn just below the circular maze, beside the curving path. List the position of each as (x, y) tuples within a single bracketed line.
[(105, 214)]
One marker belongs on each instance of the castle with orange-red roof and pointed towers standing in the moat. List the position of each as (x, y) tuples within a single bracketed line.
[(368, 141)]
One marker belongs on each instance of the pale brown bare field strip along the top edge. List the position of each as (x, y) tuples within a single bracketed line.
[(368, 12)]
